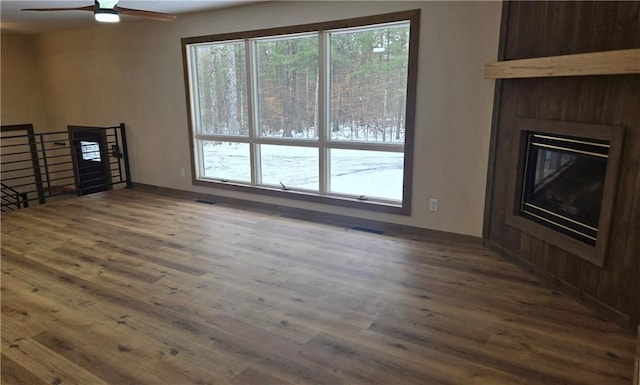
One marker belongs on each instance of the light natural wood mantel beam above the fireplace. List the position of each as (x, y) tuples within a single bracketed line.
[(619, 62)]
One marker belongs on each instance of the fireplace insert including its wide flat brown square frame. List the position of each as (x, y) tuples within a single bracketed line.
[(562, 186)]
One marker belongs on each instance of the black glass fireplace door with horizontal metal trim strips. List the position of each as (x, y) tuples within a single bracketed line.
[(563, 183)]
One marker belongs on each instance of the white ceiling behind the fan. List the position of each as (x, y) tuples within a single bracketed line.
[(14, 20)]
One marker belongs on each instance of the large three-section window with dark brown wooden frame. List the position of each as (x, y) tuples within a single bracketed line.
[(320, 112)]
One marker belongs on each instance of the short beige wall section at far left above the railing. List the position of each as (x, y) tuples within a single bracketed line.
[(21, 99)]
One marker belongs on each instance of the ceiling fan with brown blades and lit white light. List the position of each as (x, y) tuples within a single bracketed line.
[(108, 11)]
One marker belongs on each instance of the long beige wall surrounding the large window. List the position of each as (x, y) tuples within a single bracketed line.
[(132, 72)]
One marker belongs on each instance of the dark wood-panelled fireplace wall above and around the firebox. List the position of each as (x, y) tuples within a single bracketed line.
[(606, 276)]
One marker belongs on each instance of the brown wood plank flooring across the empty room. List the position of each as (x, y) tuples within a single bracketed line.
[(129, 287)]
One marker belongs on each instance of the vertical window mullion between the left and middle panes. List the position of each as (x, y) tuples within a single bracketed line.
[(252, 92)]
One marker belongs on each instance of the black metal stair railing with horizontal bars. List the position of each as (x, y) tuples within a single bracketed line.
[(39, 166)]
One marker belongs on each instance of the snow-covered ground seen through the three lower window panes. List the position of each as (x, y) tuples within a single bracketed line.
[(373, 174)]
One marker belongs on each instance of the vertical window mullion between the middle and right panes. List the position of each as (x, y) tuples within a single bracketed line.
[(323, 115)]
